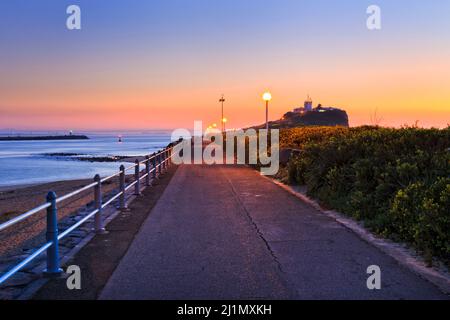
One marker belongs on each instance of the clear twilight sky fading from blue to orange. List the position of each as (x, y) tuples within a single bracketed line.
[(162, 64)]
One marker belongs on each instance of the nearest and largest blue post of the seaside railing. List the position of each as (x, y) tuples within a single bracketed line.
[(53, 269)]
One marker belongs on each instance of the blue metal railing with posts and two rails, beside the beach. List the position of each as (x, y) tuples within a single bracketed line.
[(155, 165)]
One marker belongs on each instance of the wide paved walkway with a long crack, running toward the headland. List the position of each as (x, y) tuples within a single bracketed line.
[(224, 232)]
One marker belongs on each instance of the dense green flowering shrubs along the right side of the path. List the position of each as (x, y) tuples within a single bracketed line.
[(395, 180)]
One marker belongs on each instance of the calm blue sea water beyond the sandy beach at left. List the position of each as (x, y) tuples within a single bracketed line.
[(24, 162)]
